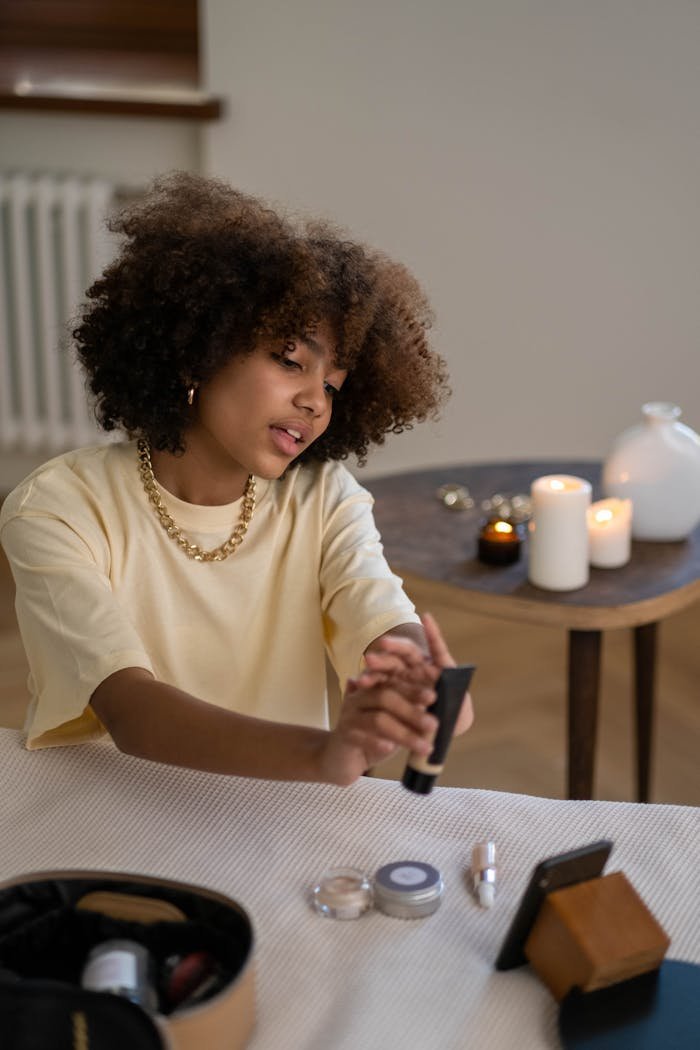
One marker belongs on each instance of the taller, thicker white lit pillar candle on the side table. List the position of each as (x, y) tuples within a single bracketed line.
[(559, 558)]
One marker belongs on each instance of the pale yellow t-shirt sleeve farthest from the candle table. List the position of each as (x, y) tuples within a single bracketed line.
[(74, 631)]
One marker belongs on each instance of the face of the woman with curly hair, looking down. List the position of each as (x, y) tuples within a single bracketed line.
[(261, 412)]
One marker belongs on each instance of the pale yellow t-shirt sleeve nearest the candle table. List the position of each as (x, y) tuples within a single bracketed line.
[(362, 597)]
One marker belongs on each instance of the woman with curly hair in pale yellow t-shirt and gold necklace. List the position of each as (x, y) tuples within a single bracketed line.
[(181, 591)]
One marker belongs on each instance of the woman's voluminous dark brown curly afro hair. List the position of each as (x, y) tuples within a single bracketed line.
[(205, 272)]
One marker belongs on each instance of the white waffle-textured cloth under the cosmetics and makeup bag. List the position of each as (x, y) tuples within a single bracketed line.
[(377, 982)]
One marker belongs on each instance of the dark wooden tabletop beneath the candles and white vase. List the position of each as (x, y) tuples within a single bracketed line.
[(425, 539)]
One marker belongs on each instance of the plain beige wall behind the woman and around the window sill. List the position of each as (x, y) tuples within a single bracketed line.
[(536, 162)]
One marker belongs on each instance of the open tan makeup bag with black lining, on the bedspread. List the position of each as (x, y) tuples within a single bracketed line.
[(51, 921)]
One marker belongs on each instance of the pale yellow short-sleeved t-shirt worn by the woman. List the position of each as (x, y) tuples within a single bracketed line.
[(101, 587)]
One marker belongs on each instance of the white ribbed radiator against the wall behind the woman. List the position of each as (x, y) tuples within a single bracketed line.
[(53, 245)]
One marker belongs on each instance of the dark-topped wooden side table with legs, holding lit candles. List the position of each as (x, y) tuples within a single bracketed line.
[(425, 541)]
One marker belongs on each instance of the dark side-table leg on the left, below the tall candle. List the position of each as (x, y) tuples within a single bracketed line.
[(584, 677)]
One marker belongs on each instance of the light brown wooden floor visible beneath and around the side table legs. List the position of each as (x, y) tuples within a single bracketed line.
[(519, 741)]
